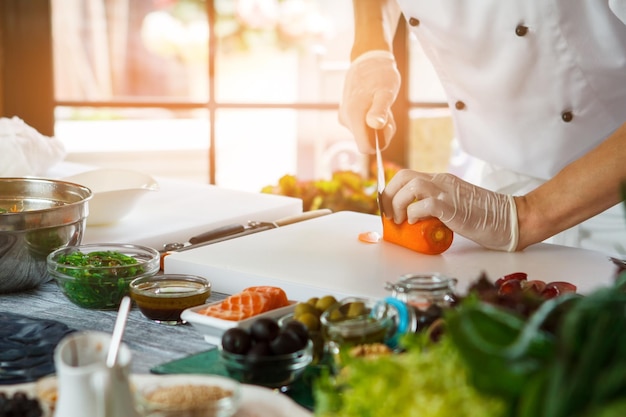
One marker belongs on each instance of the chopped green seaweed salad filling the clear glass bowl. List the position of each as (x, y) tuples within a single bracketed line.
[(101, 278)]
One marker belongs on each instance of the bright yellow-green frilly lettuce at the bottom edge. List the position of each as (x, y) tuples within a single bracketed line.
[(428, 380)]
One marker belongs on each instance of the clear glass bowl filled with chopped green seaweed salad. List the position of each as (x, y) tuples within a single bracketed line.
[(98, 276)]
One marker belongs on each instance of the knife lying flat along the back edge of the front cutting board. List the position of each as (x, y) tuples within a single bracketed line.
[(235, 230)]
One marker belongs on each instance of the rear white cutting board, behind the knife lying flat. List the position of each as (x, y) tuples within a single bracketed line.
[(180, 210)]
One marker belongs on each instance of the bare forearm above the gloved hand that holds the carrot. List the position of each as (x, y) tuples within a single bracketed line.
[(581, 190)]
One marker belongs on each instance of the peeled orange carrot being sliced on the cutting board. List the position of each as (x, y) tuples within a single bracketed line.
[(429, 236)]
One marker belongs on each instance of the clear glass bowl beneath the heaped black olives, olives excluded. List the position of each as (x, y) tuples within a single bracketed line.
[(276, 371)]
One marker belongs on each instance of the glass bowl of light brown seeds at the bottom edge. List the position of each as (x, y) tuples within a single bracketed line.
[(189, 396)]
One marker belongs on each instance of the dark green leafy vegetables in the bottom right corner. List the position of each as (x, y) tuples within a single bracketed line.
[(576, 370)]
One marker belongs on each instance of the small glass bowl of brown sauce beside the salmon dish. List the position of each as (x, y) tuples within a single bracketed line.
[(162, 298)]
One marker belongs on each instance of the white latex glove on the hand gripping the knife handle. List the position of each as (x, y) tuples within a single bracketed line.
[(371, 86)]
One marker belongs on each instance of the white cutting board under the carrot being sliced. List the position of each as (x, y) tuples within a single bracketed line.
[(324, 256)]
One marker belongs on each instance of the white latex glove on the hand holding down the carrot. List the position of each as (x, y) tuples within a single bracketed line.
[(486, 217)]
